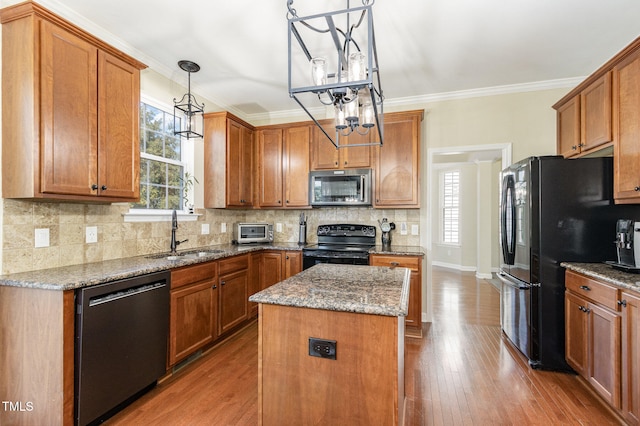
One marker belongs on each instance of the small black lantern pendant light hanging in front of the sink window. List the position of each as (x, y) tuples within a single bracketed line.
[(187, 109)]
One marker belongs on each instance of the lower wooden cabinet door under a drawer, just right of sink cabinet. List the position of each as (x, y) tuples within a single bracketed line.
[(233, 299)]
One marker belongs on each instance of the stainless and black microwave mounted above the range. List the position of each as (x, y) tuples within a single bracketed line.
[(349, 187)]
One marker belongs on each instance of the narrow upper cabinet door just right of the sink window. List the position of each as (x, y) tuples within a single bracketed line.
[(239, 165)]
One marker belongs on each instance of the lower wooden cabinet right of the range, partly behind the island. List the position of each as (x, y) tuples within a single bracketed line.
[(413, 320)]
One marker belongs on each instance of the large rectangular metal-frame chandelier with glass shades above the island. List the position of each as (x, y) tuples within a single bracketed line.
[(333, 63)]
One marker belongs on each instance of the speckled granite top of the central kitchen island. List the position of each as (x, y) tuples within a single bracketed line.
[(348, 288)]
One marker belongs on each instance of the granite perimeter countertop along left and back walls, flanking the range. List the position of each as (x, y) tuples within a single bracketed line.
[(78, 276)]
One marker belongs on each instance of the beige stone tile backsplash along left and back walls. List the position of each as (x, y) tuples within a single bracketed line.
[(66, 223)]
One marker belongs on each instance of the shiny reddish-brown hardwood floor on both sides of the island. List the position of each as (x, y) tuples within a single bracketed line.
[(462, 371)]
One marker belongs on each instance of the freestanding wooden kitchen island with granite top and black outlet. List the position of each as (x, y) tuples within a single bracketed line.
[(331, 346)]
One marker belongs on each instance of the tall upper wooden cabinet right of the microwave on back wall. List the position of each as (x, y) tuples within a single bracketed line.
[(397, 176)]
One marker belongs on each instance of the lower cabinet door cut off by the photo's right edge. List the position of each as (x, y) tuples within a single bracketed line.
[(630, 356)]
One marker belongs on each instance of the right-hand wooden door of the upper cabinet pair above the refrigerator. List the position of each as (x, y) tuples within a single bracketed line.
[(595, 113)]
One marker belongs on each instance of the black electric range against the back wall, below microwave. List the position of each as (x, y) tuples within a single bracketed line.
[(341, 244)]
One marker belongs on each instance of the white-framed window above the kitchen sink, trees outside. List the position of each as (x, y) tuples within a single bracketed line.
[(161, 161)]
